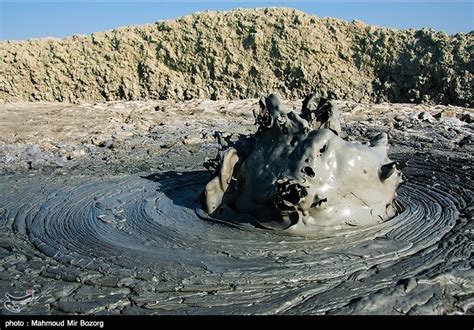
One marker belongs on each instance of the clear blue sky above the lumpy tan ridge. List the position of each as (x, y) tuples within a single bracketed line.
[(22, 20)]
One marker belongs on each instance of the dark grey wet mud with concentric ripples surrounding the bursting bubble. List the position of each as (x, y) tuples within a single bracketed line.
[(136, 243)]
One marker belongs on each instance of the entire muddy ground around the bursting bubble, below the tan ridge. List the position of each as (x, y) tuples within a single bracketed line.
[(97, 216)]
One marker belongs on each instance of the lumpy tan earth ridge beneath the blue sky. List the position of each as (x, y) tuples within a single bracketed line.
[(243, 54)]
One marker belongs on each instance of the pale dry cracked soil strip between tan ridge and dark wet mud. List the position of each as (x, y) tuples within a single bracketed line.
[(131, 135)]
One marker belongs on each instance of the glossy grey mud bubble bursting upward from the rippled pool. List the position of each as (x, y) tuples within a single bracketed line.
[(298, 174)]
